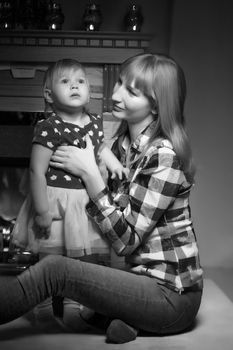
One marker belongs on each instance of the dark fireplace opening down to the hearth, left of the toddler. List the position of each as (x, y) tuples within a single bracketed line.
[(16, 129)]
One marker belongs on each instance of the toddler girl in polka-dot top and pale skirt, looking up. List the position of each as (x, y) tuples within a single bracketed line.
[(53, 218)]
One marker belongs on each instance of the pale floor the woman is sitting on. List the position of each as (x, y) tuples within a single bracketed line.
[(212, 331)]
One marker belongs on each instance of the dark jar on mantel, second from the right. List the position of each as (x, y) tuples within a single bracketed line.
[(92, 17)]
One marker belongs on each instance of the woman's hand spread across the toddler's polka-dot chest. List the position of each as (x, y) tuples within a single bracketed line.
[(74, 160)]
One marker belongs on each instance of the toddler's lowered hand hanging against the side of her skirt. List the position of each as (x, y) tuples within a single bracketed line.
[(42, 225)]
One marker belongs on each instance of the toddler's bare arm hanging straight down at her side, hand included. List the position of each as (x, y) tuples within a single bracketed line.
[(39, 163)]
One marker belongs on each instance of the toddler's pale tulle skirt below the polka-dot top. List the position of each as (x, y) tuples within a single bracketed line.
[(73, 233)]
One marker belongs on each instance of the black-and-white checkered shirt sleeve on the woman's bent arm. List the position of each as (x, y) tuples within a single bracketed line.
[(127, 219)]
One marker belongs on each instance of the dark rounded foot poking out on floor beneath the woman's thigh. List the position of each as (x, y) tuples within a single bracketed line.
[(120, 332)]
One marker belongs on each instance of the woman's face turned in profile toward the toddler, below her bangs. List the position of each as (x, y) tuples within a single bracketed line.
[(129, 103)]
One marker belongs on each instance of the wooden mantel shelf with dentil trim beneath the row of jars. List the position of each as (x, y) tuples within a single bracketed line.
[(89, 47)]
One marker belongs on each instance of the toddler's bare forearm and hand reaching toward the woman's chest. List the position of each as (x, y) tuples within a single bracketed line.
[(112, 163)]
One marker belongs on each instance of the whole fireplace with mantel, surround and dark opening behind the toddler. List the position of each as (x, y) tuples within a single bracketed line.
[(24, 57)]
